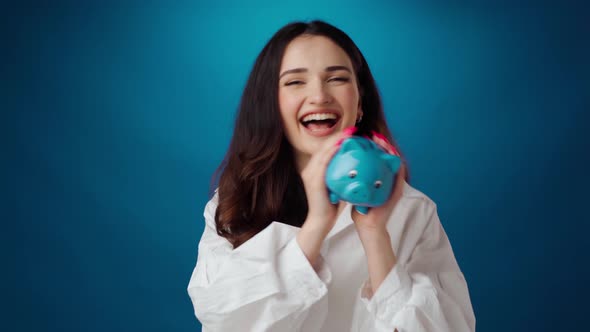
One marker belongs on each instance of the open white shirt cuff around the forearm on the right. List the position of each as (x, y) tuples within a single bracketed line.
[(391, 296)]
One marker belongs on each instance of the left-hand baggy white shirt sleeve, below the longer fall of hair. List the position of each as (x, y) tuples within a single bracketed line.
[(266, 284)]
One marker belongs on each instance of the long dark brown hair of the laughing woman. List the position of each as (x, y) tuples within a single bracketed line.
[(258, 181)]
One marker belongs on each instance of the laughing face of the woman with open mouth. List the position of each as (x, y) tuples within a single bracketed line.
[(318, 93)]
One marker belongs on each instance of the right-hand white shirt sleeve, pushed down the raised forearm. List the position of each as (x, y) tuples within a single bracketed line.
[(425, 293)]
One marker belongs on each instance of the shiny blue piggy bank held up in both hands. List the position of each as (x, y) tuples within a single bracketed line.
[(361, 173)]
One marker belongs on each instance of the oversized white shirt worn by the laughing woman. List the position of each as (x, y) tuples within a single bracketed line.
[(267, 284)]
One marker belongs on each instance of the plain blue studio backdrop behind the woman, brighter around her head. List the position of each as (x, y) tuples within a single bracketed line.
[(119, 114)]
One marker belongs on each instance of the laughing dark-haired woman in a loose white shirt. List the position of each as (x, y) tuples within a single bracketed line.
[(276, 255)]
